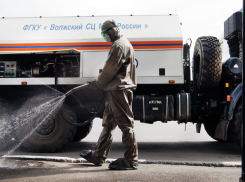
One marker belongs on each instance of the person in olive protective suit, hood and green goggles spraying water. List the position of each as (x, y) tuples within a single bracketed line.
[(118, 79)]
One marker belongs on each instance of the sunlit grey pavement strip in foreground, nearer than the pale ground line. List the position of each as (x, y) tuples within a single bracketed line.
[(26, 171)]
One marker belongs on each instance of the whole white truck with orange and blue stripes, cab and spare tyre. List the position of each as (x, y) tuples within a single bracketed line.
[(65, 52)]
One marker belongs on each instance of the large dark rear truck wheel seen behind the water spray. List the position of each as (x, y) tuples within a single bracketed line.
[(52, 134)]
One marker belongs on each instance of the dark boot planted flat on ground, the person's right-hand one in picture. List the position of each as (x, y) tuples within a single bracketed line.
[(122, 164)]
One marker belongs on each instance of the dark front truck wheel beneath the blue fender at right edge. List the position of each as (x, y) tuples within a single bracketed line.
[(234, 130)]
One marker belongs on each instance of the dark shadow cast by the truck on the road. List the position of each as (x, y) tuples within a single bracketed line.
[(209, 151)]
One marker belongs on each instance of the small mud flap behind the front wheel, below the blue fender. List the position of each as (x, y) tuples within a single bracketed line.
[(221, 130)]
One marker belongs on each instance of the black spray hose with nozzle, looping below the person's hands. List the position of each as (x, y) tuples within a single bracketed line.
[(88, 121)]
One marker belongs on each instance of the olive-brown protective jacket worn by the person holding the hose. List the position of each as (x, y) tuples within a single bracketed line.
[(118, 72)]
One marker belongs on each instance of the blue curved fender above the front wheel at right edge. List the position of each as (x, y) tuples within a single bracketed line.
[(235, 96)]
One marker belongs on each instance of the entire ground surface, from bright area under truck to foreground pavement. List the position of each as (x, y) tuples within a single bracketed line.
[(157, 142)]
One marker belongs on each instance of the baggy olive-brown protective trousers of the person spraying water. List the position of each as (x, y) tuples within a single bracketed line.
[(118, 112)]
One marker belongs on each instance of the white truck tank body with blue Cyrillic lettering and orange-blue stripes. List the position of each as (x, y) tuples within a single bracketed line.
[(157, 41)]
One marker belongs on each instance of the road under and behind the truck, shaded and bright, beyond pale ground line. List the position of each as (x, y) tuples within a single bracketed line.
[(160, 141)]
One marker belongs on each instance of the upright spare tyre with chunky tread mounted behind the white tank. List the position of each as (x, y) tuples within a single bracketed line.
[(208, 62)]
